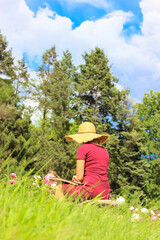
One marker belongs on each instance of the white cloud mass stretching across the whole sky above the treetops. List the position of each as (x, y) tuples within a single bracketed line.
[(136, 62)]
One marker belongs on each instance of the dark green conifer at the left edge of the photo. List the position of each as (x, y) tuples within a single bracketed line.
[(14, 122)]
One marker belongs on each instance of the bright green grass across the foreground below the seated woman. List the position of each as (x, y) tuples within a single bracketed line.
[(31, 213)]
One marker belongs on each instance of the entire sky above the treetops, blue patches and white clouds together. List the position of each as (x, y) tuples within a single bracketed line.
[(127, 31)]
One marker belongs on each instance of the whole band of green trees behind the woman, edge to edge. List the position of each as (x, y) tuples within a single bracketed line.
[(66, 97)]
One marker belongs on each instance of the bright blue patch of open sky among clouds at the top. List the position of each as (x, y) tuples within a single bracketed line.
[(80, 12)]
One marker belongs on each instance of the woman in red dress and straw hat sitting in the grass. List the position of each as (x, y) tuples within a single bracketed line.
[(92, 165)]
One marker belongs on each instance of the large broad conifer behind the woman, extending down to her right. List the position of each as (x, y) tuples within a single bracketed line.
[(110, 110)]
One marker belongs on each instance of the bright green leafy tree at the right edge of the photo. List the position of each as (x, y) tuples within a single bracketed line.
[(148, 113)]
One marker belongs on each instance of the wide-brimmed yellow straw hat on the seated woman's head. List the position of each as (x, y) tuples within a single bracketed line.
[(86, 133)]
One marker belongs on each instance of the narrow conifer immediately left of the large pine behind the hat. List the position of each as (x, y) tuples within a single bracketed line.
[(62, 92)]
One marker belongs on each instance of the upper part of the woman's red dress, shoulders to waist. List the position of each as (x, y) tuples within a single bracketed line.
[(96, 163)]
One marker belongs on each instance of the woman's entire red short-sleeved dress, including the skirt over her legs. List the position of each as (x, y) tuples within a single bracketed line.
[(95, 182)]
